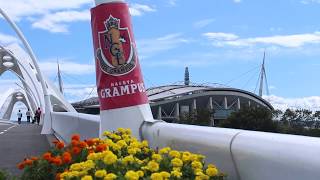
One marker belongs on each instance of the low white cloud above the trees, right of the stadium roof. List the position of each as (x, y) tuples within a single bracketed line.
[(312, 102)]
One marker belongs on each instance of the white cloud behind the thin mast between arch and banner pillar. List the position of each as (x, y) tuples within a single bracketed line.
[(69, 67)]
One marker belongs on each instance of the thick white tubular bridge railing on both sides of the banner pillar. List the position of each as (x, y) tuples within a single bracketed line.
[(243, 155)]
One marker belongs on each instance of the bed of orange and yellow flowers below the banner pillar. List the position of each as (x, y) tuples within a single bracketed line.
[(117, 156)]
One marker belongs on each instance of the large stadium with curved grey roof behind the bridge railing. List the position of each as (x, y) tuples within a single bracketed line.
[(169, 102)]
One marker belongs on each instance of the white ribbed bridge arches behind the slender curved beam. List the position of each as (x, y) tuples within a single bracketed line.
[(14, 59)]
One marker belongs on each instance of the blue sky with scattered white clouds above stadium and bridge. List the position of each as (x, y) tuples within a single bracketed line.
[(219, 40)]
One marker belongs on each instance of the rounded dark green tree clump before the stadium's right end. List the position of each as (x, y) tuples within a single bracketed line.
[(257, 119)]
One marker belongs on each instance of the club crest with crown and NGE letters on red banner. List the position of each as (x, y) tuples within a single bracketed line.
[(116, 52)]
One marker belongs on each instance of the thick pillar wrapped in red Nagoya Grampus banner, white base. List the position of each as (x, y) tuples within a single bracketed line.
[(121, 91)]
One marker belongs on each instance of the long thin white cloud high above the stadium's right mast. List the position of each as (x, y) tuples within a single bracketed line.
[(289, 41)]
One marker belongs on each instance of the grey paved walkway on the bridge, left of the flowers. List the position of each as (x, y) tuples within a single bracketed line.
[(18, 142)]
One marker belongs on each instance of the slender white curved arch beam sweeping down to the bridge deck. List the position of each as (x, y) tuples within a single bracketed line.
[(47, 125)]
